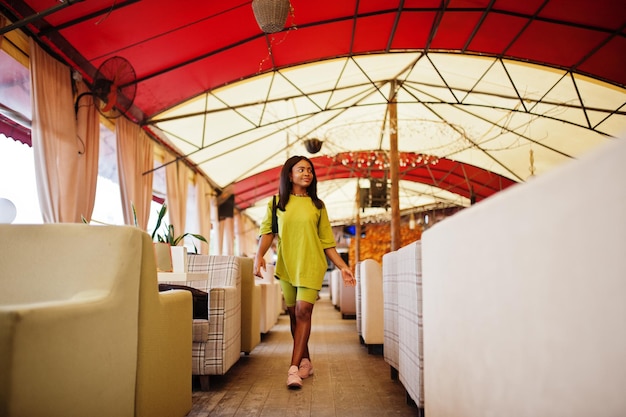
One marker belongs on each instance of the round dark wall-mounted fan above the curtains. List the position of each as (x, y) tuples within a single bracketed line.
[(114, 87)]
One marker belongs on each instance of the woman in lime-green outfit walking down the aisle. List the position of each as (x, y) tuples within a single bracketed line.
[(305, 239)]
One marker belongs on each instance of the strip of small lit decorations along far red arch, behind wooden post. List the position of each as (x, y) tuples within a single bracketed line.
[(379, 159)]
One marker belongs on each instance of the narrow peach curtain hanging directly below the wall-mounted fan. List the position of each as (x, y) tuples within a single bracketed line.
[(88, 131)]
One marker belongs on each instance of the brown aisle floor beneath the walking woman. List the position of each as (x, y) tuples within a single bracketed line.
[(347, 382)]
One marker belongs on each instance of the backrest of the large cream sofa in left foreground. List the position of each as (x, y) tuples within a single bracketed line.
[(52, 262)]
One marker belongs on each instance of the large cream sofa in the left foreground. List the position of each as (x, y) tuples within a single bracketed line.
[(83, 328)]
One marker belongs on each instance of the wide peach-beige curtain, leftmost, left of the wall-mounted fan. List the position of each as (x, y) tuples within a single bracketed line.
[(56, 148)]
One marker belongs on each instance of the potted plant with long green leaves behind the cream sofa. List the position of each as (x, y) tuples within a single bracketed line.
[(170, 256)]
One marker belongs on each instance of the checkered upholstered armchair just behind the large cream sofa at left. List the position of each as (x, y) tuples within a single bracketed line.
[(217, 342)]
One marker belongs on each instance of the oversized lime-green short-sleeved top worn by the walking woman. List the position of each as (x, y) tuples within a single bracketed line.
[(304, 232)]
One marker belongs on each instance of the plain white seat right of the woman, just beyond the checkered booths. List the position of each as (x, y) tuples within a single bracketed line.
[(370, 282)]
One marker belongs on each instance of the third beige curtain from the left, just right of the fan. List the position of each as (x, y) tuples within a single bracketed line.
[(135, 156)]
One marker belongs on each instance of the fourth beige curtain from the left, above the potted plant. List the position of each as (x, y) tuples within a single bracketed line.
[(176, 180)]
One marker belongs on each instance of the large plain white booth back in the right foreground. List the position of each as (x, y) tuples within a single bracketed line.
[(524, 297)]
